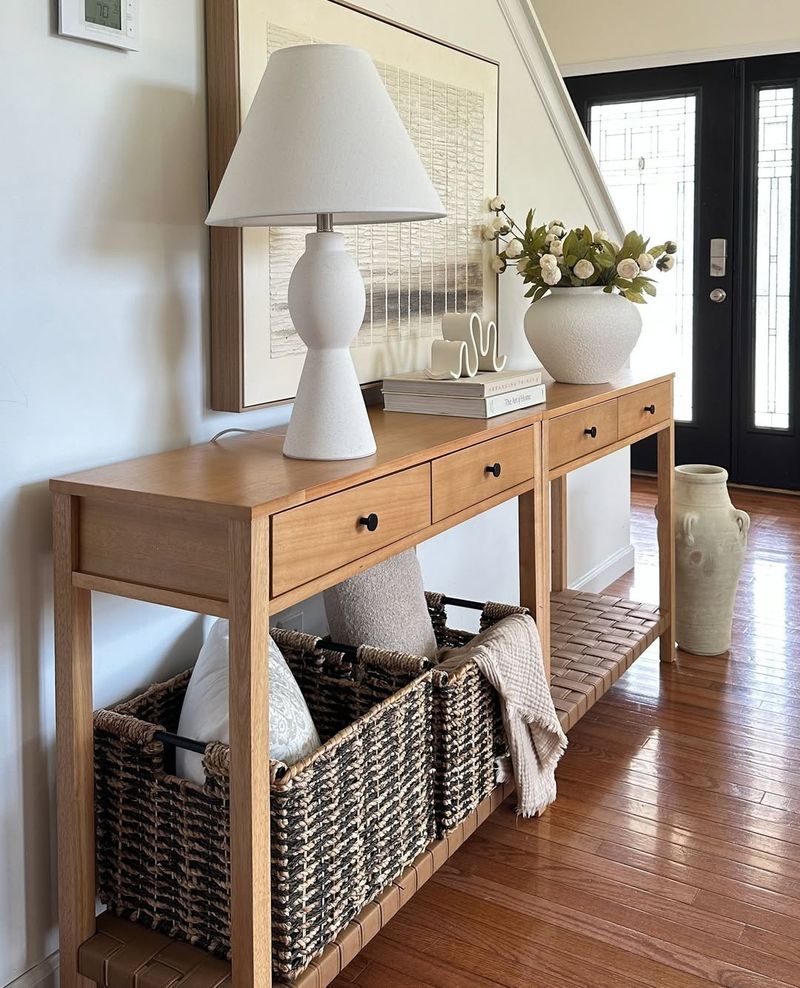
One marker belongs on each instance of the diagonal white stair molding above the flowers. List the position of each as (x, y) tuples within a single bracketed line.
[(544, 72)]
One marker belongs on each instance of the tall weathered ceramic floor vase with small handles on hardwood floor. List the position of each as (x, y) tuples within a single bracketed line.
[(711, 540)]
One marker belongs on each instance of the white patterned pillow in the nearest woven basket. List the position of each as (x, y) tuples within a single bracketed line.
[(204, 715)]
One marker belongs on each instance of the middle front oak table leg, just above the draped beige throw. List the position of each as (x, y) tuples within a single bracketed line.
[(534, 545)]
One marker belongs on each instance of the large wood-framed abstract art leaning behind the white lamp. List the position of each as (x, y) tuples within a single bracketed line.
[(413, 272)]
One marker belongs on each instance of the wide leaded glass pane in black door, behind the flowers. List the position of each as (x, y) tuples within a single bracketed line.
[(646, 150)]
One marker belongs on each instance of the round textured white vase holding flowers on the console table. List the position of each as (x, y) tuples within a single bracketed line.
[(583, 335)]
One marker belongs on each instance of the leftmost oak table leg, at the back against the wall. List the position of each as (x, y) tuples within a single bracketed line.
[(75, 754)]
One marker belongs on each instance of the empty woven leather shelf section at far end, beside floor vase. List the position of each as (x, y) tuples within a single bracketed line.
[(594, 638)]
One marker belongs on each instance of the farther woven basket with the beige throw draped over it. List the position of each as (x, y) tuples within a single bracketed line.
[(469, 733)]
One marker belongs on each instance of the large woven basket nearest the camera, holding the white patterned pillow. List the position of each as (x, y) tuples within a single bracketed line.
[(345, 821)]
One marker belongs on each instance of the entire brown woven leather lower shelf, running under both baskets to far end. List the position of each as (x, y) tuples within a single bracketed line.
[(594, 639)]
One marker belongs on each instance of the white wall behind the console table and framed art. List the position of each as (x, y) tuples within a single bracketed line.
[(103, 329)]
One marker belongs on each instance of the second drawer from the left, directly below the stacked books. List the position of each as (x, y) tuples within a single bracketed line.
[(474, 474)]
